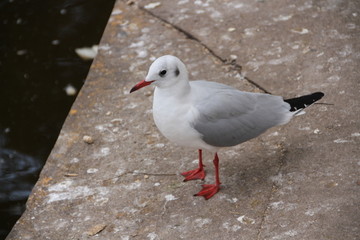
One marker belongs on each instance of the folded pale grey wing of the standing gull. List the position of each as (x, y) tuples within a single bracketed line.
[(230, 117)]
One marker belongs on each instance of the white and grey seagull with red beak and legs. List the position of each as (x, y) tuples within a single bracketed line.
[(209, 115)]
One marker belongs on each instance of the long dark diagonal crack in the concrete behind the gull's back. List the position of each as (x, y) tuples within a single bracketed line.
[(190, 36)]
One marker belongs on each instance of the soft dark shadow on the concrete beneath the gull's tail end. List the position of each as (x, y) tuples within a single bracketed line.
[(253, 172)]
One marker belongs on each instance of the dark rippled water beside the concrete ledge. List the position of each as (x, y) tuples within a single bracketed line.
[(37, 61)]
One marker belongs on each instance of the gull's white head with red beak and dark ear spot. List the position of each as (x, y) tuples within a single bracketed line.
[(163, 72)]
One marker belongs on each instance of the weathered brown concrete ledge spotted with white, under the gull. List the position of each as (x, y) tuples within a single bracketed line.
[(299, 181)]
